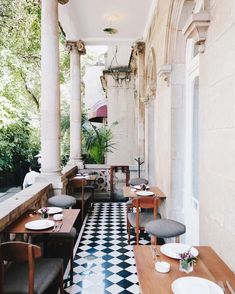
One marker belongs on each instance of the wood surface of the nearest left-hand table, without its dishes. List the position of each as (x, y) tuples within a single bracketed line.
[(69, 218)]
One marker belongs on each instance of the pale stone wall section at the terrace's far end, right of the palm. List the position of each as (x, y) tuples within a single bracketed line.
[(121, 105)]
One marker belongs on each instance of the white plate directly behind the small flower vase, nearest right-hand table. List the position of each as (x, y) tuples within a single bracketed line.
[(173, 249)]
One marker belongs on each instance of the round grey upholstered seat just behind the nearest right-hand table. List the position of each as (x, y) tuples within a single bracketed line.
[(165, 228)]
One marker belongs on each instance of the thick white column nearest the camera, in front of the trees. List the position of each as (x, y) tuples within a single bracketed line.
[(50, 89)]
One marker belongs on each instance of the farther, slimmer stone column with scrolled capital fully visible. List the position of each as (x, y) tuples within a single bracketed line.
[(76, 49)]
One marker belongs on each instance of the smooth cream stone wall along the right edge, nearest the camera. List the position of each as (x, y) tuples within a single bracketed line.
[(217, 116)]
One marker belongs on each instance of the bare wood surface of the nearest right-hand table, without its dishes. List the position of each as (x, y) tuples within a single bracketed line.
[(209, 266)]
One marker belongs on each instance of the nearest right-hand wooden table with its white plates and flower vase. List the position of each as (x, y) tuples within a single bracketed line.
[(159, 270)]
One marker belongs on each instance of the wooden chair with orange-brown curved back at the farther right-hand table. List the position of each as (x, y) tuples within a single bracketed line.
[(139, 219)]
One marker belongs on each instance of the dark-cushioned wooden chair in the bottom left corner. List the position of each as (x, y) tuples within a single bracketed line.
[(22, 270)]
